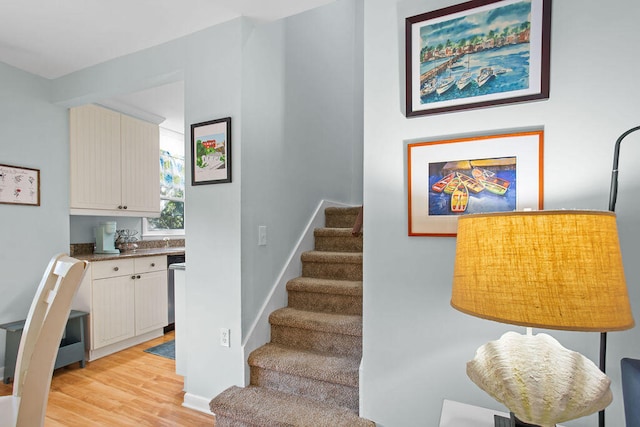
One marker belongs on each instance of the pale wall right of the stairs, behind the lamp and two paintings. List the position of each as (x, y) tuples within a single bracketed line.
[(415, 345)]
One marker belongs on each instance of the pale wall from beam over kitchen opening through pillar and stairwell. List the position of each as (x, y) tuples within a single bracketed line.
[(295, 104)]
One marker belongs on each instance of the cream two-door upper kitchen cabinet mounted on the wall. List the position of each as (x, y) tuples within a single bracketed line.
[(114, 163)]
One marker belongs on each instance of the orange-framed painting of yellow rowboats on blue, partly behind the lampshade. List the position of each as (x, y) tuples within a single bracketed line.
[(491, 173)]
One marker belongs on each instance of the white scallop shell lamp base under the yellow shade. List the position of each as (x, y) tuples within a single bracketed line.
[(539, 380)]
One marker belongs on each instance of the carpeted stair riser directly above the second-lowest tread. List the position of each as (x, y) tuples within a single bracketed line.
[(323, 342)]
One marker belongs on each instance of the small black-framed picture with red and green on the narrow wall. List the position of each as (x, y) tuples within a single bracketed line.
[(211, 152)]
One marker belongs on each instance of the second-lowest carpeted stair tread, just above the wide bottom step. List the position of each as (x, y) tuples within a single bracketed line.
[(323, 367)]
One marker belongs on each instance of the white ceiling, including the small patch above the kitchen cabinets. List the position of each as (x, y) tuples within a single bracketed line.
[(53, 38)]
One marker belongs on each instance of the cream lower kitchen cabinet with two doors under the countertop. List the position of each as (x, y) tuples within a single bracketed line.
[(127, 302)]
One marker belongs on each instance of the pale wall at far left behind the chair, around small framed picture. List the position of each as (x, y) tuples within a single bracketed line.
[(33, 134)]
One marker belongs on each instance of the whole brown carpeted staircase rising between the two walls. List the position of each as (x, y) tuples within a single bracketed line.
[(308, 374)]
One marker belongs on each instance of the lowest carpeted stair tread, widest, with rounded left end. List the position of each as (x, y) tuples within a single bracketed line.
[(259, 406)]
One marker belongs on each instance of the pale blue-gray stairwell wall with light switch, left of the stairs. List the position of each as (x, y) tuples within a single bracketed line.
[(302, 134)]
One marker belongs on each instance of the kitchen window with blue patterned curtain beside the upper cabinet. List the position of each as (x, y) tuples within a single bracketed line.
[(171, 220)]
